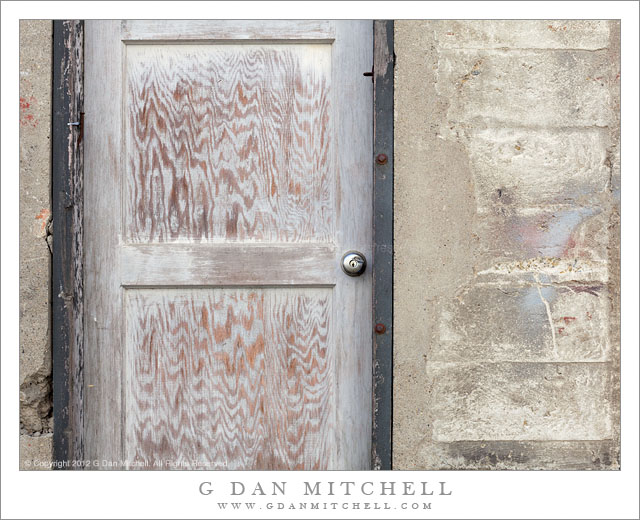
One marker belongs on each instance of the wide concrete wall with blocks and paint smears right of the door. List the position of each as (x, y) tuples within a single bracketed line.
[(506, 245)]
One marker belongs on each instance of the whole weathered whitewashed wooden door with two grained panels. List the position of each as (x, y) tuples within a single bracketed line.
[(228, 167)]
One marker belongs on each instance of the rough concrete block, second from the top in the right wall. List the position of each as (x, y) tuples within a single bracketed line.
[(526, 88)]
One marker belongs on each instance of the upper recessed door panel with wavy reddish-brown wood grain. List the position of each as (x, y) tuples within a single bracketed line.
[(228, 142)]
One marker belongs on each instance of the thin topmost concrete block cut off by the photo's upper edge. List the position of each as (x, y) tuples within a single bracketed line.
[(522, 34)]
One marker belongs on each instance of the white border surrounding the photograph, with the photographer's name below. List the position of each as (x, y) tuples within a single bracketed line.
[(175, 495)]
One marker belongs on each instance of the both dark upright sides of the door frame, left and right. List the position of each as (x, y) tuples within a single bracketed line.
[(67, 264)]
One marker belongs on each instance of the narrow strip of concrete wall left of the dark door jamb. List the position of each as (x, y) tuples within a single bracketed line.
[(35, 255)]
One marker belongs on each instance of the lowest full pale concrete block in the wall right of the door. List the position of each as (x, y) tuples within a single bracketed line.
[(520, 401)]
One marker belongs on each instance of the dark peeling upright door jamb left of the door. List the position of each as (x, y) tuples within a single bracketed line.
[(67, 260)]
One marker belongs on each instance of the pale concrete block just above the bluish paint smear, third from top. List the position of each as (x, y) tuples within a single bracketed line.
[(527, 167)]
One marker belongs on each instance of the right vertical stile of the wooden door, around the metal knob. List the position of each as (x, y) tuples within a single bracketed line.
[(354, 138)]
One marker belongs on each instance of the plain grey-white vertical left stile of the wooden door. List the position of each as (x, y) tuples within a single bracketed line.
[(103, 320)]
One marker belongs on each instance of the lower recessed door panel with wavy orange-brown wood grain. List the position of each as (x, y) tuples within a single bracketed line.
[(229, 378)]
